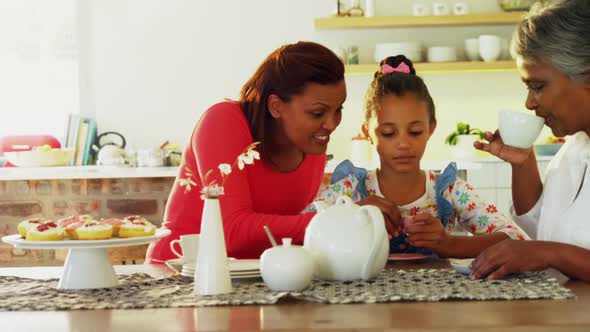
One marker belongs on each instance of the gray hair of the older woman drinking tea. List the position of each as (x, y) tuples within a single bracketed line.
[(557, 32)]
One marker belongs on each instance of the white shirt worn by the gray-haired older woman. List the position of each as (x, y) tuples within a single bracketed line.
[(562, 213)]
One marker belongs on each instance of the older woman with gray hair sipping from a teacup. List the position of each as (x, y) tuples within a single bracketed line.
[(552, 48)]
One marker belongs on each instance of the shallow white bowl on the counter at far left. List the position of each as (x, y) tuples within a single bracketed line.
[(39, 158)]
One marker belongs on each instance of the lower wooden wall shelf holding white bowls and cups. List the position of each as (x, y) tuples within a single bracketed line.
[(441, 67)]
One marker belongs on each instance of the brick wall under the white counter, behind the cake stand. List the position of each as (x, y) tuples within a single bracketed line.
[(58, 198)]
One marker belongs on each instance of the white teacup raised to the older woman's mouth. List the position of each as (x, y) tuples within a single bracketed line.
[(519, 129)]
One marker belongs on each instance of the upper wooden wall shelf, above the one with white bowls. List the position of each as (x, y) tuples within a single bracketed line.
[(417, 21)]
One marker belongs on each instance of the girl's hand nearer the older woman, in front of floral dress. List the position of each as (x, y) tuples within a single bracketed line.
[(426, 231)]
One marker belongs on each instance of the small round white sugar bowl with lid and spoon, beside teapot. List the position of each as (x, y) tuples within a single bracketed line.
[(287, 267)]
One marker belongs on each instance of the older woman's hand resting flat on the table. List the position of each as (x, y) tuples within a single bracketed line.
[(510, 256)]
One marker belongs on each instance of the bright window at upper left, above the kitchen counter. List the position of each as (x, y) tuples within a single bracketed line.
[(38, 66)]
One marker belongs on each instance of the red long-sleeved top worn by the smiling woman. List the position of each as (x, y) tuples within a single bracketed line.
[(256, 196)]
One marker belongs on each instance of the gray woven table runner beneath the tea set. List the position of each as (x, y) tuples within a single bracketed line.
[(142, 291)]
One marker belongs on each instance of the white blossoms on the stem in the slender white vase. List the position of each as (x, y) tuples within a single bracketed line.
[(213, 189)]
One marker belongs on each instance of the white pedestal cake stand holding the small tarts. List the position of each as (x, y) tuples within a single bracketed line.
[(87, 265)]
